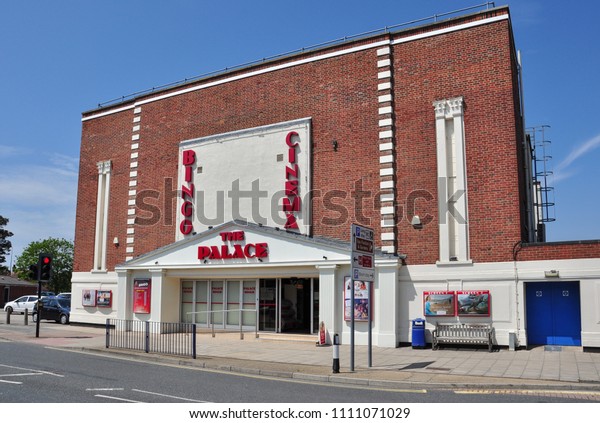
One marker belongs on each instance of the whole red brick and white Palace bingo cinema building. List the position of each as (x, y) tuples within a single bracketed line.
[(228, 199)]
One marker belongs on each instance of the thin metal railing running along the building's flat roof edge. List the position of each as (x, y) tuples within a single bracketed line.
[(385, 30)]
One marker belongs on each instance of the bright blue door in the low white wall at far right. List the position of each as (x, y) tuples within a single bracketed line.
[(553, 313)]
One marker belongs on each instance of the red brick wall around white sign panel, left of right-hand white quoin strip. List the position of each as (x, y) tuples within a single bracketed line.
[(340, 94)]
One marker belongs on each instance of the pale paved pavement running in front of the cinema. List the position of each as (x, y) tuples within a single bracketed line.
[(298, 357)]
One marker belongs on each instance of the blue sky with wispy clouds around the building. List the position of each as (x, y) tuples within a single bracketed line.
[(60, 58)]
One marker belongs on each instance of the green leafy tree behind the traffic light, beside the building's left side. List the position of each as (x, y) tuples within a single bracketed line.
[(62, 263)]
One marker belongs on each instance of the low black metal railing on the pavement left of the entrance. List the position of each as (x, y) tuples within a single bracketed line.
[(152, 337)]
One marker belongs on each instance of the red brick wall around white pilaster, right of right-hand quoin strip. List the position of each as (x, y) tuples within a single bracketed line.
[(474, 64)]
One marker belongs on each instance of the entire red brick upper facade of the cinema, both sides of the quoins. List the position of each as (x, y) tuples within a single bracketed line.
[(340, 94)]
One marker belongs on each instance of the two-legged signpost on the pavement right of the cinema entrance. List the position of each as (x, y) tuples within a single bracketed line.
[(363, 270)]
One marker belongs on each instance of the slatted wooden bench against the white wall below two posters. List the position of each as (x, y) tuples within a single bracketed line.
[(463, 333)]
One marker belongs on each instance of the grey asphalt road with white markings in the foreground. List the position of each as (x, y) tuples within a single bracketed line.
[(31, 373)]
